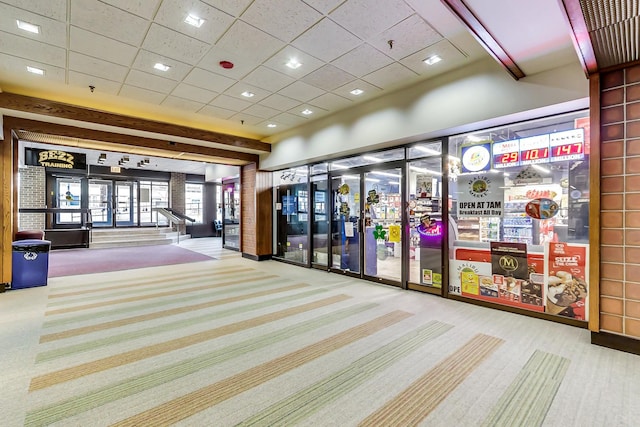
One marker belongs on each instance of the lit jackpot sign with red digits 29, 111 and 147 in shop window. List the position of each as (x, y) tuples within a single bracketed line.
[(554, 147)]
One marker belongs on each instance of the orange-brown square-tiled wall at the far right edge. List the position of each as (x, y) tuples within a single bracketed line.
[(620, 202)]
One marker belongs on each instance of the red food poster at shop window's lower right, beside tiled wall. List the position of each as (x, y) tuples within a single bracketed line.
[(567, 280)]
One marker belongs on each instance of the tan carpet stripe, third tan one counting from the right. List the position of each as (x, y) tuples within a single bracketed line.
[(63, 375)]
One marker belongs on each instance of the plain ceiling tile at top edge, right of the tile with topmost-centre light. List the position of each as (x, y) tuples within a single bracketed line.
[(284, 19)]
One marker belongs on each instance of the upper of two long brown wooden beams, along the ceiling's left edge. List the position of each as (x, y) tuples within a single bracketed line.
[(46, 107)]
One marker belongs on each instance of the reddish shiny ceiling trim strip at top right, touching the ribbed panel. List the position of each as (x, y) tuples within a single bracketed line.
[(580, 37)]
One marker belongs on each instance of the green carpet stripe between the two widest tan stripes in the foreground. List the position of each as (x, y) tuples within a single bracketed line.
[(306, 402)]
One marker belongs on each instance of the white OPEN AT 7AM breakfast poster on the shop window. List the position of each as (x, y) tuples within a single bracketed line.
[(480, 195)]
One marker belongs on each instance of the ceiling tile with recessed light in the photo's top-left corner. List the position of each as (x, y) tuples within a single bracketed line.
[(51, 31)]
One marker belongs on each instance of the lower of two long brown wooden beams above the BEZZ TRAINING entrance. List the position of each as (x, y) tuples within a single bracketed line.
[(124, 140)]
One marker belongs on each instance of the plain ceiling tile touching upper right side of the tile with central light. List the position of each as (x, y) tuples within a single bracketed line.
[(326, 40)]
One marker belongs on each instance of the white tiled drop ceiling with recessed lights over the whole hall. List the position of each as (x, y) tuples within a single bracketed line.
[(102, 53)]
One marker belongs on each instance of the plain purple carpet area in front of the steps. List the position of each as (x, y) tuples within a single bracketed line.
[(70, 262)]
